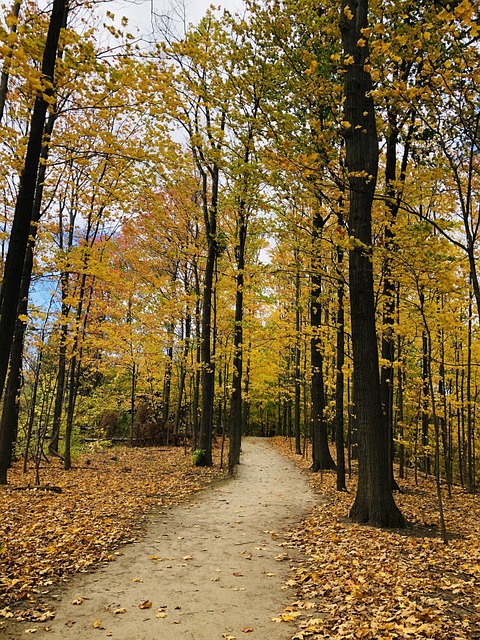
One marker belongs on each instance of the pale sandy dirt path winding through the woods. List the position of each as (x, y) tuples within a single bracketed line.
[(210, 569)]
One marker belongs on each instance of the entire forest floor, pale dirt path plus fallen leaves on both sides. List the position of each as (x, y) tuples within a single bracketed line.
[(217, 566)]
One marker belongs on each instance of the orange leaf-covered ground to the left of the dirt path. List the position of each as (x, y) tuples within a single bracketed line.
[(46, 536)]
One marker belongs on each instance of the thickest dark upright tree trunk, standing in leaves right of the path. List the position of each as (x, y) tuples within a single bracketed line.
[(374, 500)]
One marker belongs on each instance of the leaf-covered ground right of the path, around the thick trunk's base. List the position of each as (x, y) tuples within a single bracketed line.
[(360, 582)]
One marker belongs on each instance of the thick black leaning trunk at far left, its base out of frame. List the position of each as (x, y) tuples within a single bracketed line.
[(19, 234)]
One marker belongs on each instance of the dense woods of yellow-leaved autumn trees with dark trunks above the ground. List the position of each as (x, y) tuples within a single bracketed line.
[(265, 223)]
